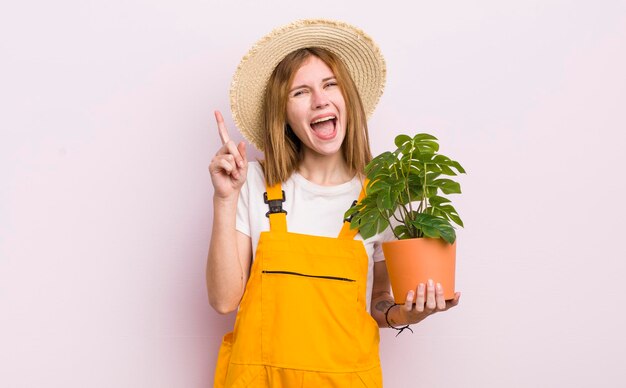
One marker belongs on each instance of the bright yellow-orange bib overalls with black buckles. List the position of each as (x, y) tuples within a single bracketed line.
[(302, 321)]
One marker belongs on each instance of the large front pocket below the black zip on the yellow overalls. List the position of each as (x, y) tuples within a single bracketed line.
[(308, 320)]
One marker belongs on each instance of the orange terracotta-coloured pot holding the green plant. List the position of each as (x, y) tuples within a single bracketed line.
[(414, 261)]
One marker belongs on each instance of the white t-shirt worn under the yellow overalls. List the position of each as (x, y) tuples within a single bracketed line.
[(311, 209)]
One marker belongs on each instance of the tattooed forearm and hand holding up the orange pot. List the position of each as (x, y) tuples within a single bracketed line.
[(429, 301)]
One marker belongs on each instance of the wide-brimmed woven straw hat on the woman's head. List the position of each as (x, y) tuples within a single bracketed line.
[(356, 49)]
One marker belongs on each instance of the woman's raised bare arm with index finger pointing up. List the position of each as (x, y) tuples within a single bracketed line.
[(230, 251)]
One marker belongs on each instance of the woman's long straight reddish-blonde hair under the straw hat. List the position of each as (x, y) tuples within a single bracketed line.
[(282, 147)]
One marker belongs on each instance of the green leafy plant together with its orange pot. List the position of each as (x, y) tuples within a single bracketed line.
[(404, 190)]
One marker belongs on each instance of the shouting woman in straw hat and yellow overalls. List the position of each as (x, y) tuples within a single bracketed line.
[(302, 95)]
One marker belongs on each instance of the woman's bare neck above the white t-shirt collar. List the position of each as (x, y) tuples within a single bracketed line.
[(325, 170)]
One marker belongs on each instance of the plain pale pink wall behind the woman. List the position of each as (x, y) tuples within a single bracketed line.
[(105, 199)]
